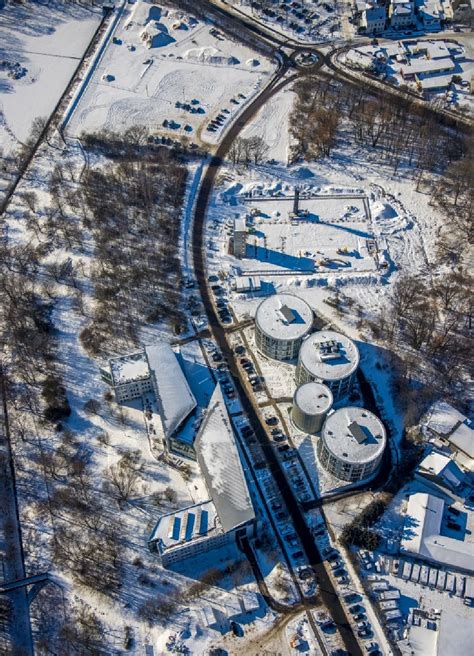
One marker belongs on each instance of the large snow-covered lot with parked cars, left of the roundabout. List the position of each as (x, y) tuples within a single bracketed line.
[(164, 66)]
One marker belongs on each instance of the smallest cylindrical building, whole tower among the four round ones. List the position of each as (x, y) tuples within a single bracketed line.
[(311, 403)]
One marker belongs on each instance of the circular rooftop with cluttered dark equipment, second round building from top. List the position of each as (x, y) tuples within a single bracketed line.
[(328, 355)]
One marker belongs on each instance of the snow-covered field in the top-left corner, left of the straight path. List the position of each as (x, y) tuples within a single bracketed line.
[(40, 47)]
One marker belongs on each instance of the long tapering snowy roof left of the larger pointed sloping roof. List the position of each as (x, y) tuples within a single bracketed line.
[(173, 394)]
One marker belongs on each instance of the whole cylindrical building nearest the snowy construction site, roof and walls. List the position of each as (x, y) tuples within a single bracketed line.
[(281, 322)]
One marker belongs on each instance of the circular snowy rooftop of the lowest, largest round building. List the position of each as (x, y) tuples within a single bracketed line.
[(354, 435)]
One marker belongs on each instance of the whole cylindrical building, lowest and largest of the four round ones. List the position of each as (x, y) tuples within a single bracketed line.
[(351, 444)]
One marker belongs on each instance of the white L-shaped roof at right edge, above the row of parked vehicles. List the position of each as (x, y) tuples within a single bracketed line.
[(421, 534)]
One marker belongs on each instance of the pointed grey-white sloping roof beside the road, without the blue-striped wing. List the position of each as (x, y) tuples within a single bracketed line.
[(219, 460)]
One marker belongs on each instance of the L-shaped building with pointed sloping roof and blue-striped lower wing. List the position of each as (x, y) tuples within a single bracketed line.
[(228, 514)]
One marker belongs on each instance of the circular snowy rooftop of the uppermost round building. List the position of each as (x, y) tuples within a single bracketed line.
[(284, 317)]
